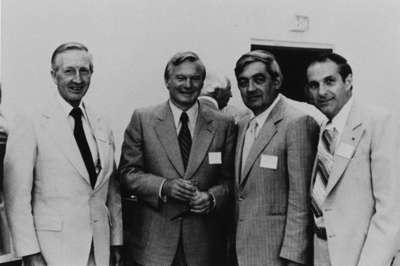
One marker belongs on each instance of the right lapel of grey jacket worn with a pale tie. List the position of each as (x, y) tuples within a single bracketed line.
[(268, 130)]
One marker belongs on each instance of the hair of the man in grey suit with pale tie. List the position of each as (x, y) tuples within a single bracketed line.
[(263, 56)]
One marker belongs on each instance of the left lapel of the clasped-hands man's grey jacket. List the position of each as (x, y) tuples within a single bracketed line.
[(166, 132)]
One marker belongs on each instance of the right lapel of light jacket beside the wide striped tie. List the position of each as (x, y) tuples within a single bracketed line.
[(352, 134)]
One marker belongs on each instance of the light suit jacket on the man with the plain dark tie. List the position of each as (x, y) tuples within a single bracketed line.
[(50, 203)]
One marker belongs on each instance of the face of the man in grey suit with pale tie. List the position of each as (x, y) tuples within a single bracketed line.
[(257, 88)]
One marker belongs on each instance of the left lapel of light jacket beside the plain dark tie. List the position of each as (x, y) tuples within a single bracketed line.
[(62, 134)]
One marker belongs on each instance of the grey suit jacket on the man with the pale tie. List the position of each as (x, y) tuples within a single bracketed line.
[(272, 202)]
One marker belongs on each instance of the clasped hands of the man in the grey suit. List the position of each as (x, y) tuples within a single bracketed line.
[(186, 191)]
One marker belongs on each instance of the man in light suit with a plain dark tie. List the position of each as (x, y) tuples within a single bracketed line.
[(61, 192)]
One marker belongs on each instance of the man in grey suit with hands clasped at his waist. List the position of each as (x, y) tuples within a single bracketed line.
[(177, 159)]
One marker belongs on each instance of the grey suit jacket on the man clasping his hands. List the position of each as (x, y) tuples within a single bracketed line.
[(150, 153)]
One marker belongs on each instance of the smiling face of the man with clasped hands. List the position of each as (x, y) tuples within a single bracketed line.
[(184, 84)]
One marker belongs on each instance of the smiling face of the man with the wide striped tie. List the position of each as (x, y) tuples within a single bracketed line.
[(328, 91)]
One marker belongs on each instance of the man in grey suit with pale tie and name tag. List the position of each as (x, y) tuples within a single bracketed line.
[(274, 156)]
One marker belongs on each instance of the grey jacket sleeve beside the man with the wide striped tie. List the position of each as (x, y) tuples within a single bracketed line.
[(301, 139)]
